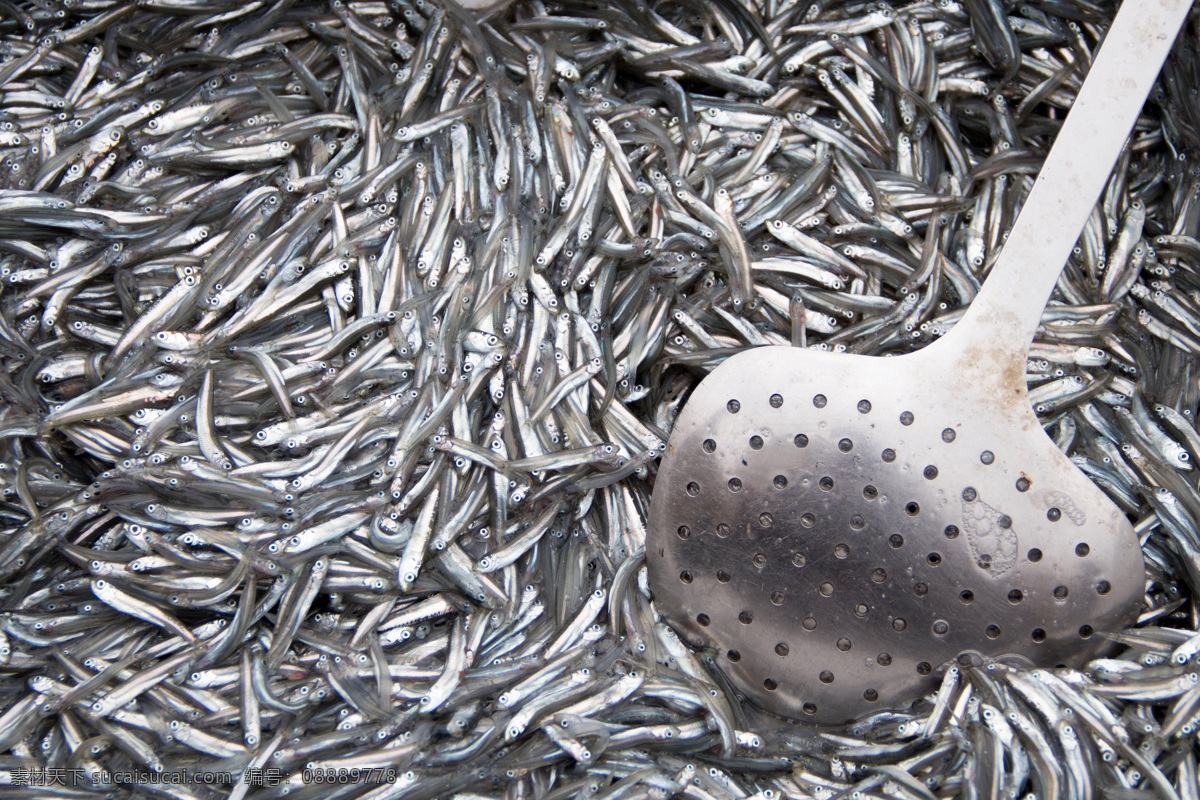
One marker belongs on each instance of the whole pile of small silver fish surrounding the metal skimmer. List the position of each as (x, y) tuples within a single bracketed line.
[(340, 342)]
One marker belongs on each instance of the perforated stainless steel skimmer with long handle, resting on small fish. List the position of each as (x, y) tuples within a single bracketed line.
[(841, 528)]
